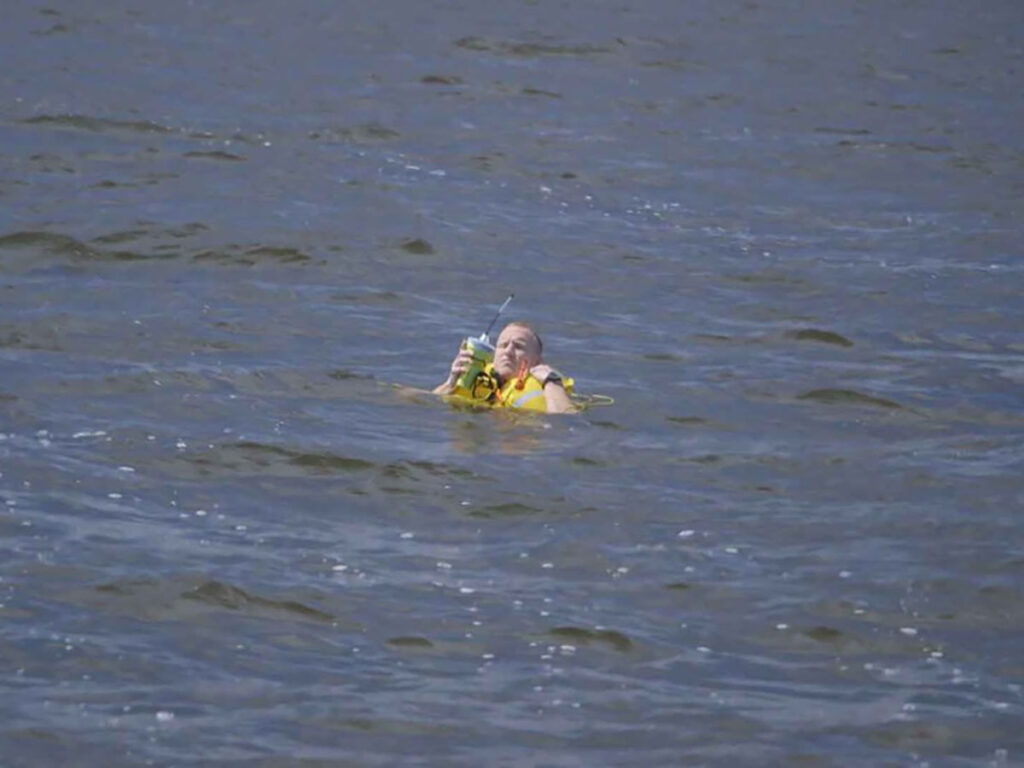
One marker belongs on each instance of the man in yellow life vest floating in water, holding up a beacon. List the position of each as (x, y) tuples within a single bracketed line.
[(522, 374)]
